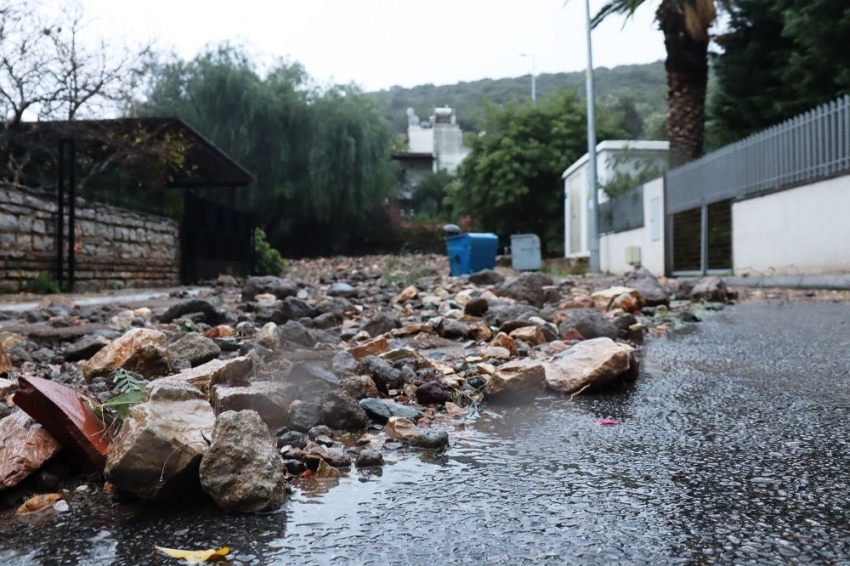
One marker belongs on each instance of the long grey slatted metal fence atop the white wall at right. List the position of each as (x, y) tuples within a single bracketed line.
[(812, 146)]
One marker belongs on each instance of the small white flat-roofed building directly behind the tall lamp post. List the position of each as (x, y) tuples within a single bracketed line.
[(613, 156)]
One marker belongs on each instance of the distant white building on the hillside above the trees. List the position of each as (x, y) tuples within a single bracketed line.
[(440, 136)]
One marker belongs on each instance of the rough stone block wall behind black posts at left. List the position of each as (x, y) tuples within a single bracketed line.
[(114, 247)]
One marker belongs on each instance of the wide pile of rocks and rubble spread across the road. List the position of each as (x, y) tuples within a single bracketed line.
[(238, 390)]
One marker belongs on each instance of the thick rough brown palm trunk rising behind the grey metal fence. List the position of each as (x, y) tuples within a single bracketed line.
[(687, 77)]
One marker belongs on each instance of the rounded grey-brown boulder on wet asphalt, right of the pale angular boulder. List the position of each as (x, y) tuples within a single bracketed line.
[(242, 470)]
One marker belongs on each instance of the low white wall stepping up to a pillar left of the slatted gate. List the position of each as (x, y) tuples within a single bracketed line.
[(650, 238)]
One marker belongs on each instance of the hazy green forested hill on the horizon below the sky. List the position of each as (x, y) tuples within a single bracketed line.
[(646, 83)]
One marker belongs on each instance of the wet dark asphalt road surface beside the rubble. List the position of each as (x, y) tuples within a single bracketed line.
[(732, 449)]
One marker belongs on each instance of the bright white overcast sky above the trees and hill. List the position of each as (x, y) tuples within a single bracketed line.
[(381, 43)]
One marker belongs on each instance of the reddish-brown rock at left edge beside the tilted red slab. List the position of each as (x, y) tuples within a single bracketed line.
[(24, 447)]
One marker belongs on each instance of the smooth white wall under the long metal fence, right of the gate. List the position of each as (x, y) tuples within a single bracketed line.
[(802, 230)]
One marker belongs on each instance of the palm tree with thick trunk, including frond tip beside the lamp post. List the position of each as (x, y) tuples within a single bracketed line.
[(685, 25)]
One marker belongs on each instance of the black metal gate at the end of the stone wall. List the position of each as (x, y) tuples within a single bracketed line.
[(215, 239)]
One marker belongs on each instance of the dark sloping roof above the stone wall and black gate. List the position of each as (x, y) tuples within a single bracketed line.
[(208, 166)]
